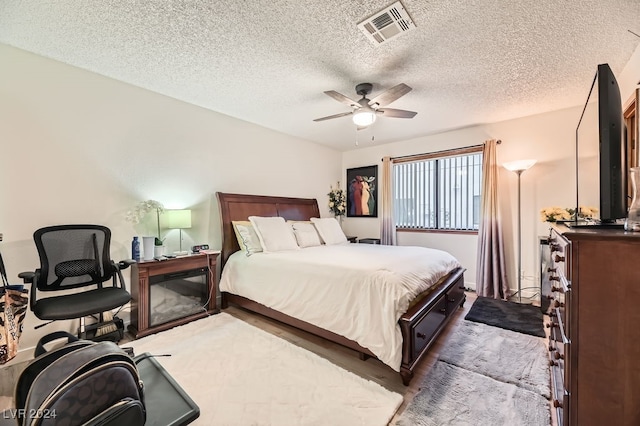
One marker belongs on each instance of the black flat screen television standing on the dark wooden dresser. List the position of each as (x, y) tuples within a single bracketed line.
[(601, 154)]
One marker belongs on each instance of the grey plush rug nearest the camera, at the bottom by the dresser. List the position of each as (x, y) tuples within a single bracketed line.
[(451, 395)]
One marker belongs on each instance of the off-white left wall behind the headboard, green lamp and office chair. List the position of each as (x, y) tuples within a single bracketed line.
[(78, 147)]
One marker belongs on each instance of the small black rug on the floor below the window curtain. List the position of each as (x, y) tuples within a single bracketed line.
[(513, 316)]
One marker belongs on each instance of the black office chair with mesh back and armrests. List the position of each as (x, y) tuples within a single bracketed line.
[(73, 257)]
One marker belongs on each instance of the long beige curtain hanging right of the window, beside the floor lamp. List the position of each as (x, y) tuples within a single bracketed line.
[(491, 275)]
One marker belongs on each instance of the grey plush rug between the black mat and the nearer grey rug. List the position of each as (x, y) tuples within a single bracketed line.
[(503, 355)]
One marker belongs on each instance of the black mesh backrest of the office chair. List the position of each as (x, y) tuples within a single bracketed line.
[(73, 256)]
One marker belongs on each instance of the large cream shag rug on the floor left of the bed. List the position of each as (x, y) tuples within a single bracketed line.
[(241, 375)]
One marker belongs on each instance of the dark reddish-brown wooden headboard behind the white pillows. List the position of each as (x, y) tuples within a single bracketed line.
[(241, 206)]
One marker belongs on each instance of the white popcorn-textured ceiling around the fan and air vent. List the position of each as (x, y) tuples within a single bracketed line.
[(269, 61)]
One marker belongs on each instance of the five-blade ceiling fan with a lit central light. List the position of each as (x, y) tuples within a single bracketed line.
[(365, 110)]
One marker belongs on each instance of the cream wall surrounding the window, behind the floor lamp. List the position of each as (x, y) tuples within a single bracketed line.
[(549, 138)]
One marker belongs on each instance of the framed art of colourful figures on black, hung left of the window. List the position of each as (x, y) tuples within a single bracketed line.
[(362, 192)]
